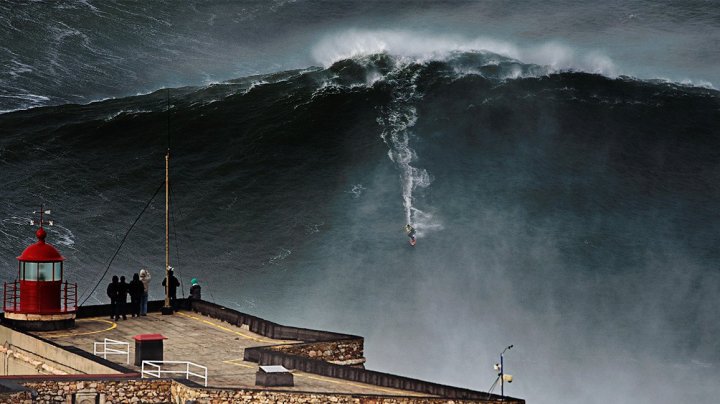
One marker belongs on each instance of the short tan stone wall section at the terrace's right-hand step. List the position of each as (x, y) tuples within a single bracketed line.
[(345, 352)]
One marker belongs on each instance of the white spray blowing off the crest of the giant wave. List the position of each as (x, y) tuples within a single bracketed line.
[(421, 47)]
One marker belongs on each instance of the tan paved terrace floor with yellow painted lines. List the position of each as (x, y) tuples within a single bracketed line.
[(205, 341)]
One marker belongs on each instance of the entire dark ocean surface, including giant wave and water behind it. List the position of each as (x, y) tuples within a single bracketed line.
[(567, 208)]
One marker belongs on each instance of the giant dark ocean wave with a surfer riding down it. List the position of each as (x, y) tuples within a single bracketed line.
[(570, 213)]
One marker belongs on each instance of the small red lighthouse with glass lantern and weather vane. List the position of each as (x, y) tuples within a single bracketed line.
[(39, 299)]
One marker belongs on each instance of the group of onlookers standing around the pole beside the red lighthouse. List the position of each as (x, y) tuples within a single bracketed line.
[(138, 290)]
